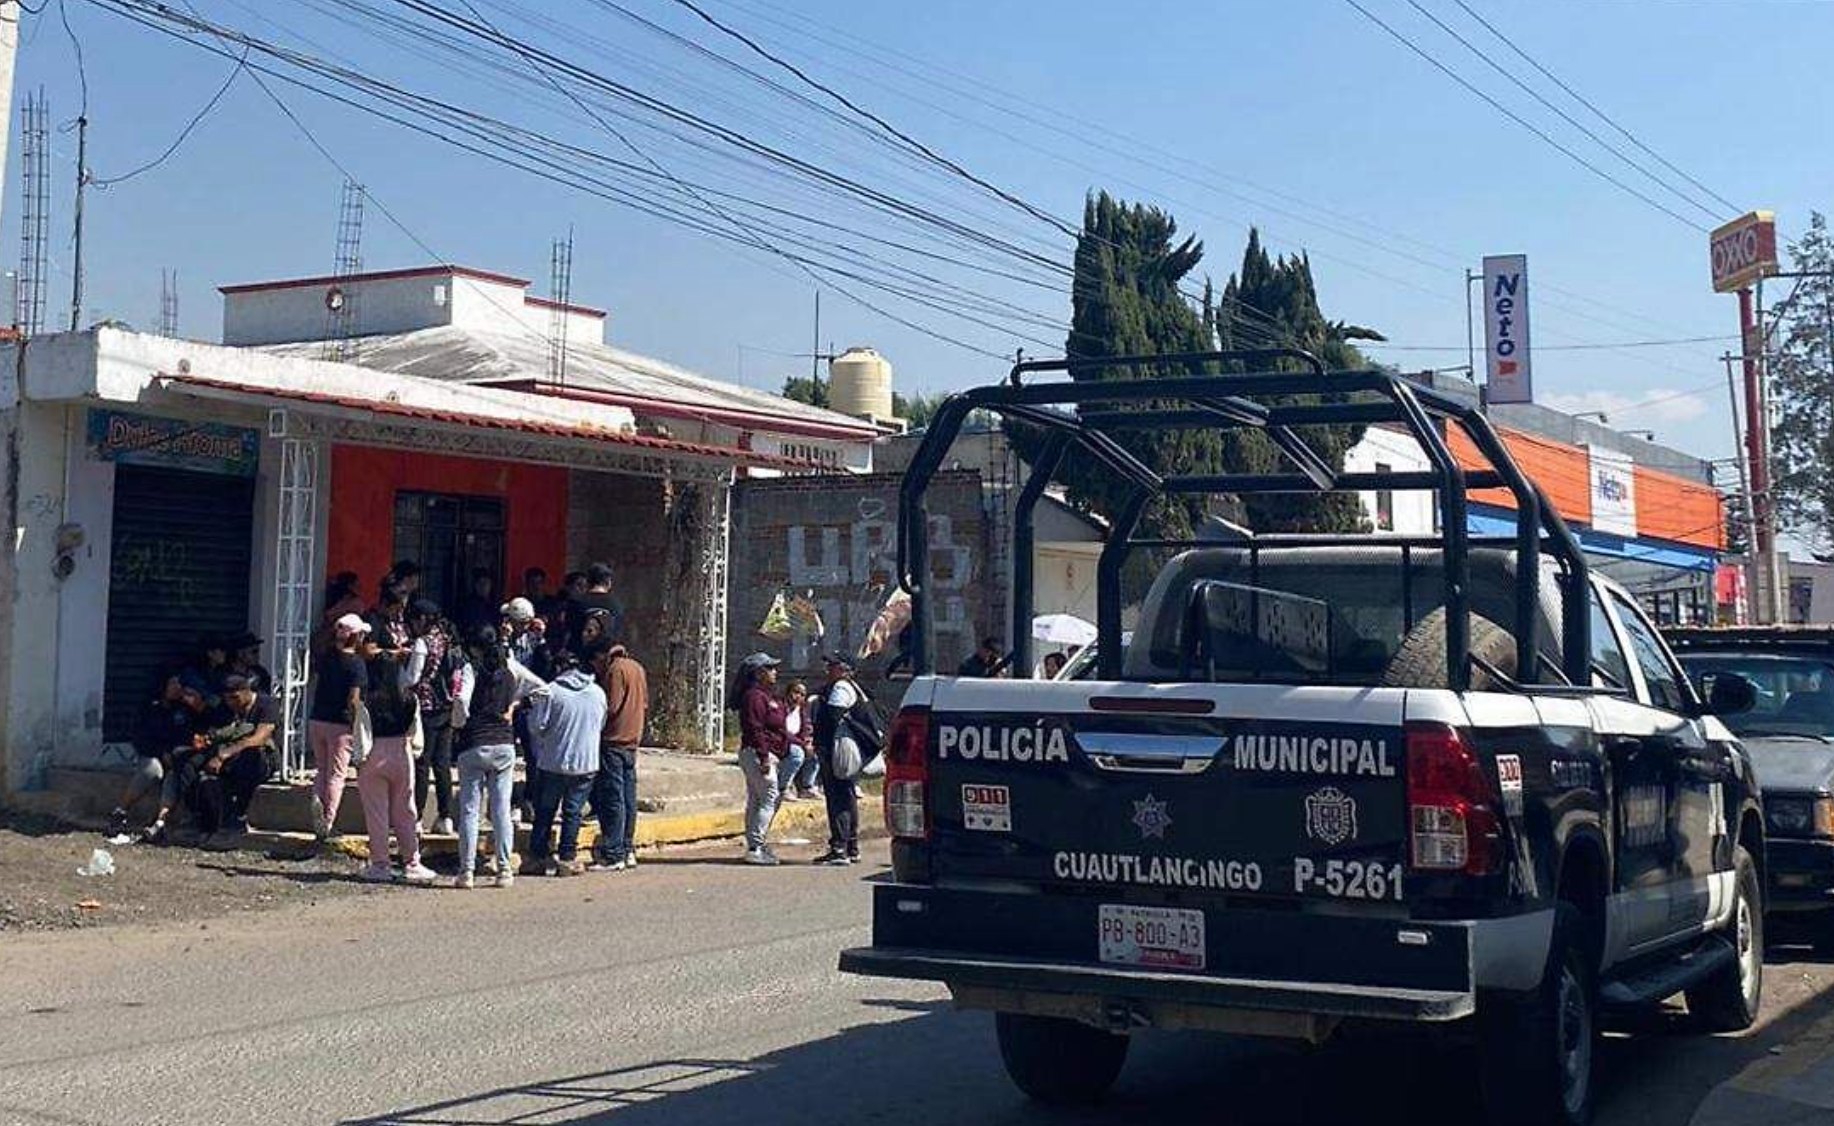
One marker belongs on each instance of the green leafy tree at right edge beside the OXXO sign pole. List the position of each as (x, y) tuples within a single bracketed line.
[(1802, 381)]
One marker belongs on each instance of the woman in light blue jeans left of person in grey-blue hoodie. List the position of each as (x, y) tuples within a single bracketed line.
[(491, 687)]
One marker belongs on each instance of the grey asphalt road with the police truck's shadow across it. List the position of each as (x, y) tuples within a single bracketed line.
[(687, 993)]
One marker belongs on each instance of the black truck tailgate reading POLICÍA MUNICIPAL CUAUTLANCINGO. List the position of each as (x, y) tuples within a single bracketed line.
[(1173, 793)]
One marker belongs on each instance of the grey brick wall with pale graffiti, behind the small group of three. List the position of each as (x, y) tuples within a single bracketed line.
[(837, 536)]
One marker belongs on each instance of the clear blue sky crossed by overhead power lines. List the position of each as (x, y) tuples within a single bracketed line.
[(1299, 96)]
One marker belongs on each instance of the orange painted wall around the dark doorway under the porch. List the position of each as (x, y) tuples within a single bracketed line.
[(362, 507)]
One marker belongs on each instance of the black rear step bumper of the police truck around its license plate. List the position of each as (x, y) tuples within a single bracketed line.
[(1255, 962)]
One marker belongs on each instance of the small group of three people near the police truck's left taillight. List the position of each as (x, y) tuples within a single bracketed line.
[(791, 742)]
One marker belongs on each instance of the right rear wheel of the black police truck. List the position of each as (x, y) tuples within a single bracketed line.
[(1536, 1054)]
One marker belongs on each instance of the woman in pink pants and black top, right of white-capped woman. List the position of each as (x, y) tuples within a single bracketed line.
[(386, 780)]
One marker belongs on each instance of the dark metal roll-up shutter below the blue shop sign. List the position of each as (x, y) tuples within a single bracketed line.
[(181, 569)]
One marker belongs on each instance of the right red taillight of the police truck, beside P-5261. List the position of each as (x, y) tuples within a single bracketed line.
[(1452, 811)]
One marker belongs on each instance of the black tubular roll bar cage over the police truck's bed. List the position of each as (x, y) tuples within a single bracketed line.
[(1230, 403)]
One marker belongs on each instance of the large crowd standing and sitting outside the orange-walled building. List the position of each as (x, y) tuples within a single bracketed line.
[(406, 696)]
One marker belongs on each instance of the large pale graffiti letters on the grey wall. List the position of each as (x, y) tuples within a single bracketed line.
[(850, 568)]
